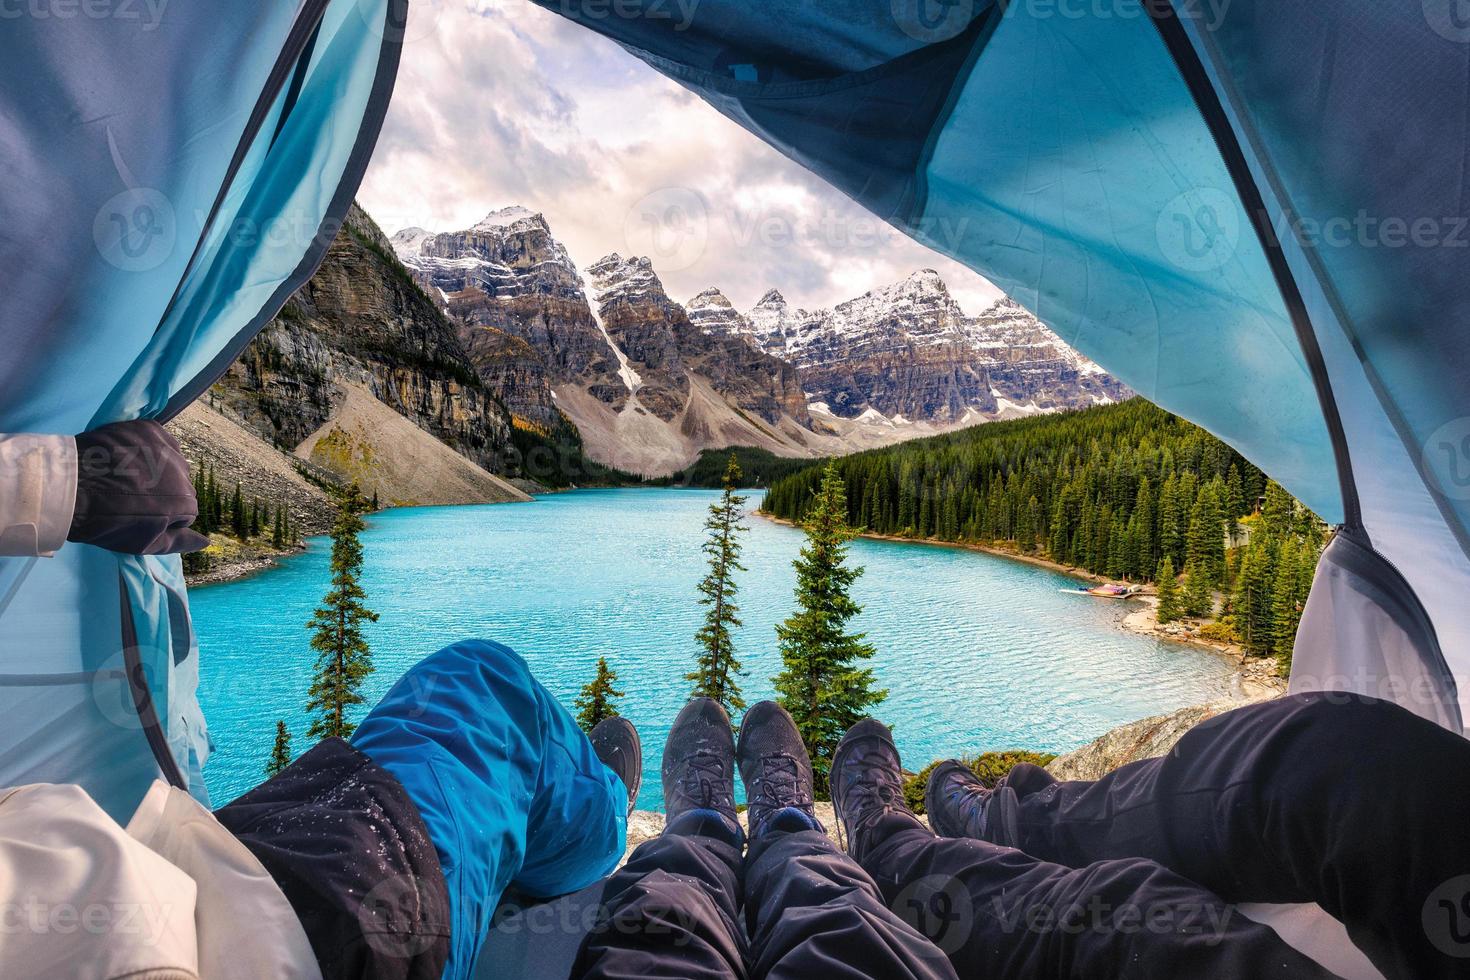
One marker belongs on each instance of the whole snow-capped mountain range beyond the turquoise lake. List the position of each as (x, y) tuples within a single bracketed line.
[(649, 383)]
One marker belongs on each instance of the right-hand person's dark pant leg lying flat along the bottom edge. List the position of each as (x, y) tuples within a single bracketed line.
[(1000, 913)]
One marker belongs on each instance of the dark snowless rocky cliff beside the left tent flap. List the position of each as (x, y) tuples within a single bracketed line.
[(362, 323)]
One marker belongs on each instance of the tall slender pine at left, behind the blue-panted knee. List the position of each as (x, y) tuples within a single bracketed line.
[(343, 657)]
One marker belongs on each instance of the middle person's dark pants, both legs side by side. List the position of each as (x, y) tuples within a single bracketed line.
[(675, 910)]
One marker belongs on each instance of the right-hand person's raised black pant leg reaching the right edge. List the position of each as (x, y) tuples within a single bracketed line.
[(1340, 800)]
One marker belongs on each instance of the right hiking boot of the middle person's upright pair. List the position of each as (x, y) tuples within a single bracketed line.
[(777, 772)]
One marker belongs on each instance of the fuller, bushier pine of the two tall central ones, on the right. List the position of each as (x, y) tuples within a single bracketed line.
[(822, 684)]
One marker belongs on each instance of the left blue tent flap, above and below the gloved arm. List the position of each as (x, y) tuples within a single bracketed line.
[(157, 217)]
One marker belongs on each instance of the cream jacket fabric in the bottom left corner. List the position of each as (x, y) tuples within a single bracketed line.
[(174, 897)]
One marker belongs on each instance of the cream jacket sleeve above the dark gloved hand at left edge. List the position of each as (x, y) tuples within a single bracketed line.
[(37, 493)]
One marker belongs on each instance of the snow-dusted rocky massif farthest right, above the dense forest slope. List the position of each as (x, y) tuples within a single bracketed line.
[(909, 353)]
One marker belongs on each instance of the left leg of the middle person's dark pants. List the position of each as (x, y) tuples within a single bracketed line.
[(671, 912)]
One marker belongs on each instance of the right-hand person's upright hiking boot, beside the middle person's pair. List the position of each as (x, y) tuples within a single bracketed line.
[(868, 788)]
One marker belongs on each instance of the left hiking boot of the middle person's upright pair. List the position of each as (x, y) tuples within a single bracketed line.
[(699, 763)]
